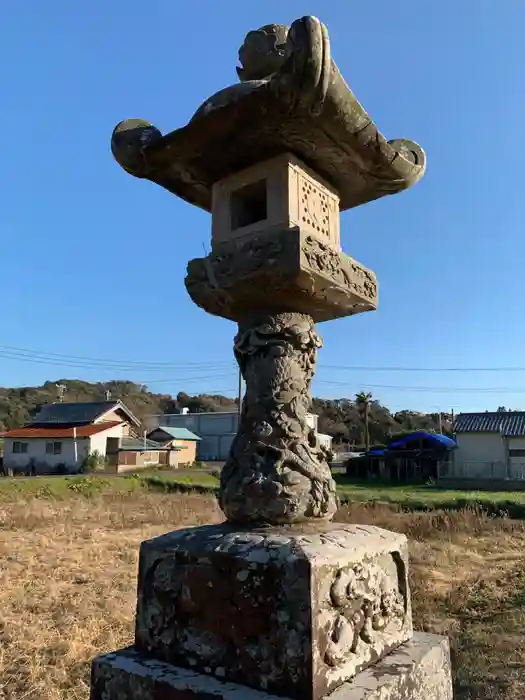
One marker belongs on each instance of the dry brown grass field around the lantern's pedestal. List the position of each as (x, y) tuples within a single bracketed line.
[(68, 576)]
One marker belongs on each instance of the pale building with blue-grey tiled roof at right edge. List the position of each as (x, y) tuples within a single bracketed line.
[(491, 446)]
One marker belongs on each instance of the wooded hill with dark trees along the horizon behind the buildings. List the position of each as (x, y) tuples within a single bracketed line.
[(344, 419)]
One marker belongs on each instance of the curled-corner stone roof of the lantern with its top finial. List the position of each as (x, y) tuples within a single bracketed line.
[(292, 98)]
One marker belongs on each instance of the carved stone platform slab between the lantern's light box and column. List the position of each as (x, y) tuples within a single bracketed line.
[(288, 270)]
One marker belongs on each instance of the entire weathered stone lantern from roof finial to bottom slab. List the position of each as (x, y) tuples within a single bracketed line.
[(278, 599)]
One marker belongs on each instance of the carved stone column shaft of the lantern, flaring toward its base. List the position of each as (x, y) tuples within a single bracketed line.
[(276, 471)]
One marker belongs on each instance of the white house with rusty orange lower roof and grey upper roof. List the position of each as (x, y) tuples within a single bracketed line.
[(64, 434)]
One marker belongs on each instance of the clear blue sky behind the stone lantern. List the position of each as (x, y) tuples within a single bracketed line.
[(93, 260)]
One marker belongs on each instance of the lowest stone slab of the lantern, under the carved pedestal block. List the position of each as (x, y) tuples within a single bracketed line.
[(418, 670)]
